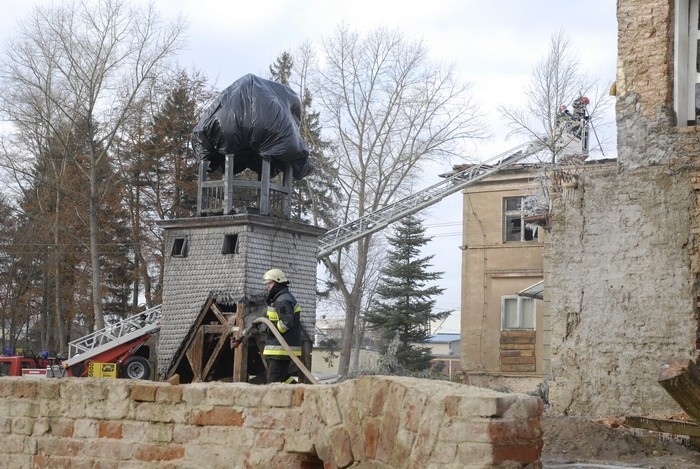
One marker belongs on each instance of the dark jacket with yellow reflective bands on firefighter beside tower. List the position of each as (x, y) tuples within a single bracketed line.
[(284, 312)]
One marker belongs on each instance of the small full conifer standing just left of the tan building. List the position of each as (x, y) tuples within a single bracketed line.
[(404, 307)]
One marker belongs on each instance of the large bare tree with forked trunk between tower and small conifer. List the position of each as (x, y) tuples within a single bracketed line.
[(389, 110)]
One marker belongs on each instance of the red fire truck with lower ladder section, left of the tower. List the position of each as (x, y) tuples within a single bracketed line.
[(119, 350)]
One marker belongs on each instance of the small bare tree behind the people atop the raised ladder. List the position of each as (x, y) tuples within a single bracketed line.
[(556, 80)]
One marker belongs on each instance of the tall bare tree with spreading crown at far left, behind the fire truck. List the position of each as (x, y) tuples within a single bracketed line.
[(89, 60)]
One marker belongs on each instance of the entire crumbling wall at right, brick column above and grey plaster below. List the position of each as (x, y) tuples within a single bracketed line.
[(621, 262)]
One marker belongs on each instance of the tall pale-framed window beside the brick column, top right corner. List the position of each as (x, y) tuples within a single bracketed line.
[(686, 66)]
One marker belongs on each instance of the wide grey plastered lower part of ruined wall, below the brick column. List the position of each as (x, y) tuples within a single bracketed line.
[(620, 297)]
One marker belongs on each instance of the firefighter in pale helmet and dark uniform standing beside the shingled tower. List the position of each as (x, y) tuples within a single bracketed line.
[(284, 312)]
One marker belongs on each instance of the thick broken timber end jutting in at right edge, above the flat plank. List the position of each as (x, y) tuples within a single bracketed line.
[(681, 379)]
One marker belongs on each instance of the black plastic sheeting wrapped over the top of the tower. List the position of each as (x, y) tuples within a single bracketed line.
[(254, 118)]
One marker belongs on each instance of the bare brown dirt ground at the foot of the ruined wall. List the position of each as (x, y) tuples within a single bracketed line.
[(584, 442)]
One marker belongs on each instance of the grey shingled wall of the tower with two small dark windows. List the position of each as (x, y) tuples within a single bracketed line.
[(263, 243)]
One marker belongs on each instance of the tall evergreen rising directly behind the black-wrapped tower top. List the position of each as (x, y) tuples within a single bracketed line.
[(314, 197)]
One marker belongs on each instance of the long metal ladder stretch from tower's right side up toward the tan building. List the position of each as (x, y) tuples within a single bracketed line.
[(380, 219)]
